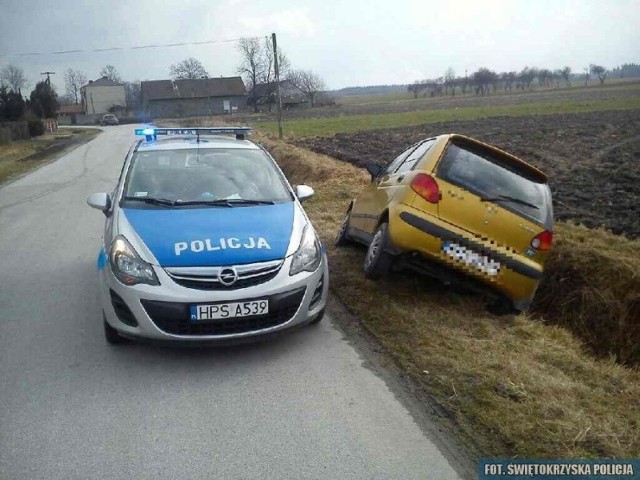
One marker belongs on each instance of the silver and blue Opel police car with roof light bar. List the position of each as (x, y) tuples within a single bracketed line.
[(206, 241)]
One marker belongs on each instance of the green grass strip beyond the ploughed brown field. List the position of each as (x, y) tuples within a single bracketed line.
[(308, 127)]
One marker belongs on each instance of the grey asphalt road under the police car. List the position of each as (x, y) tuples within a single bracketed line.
[(73, 407)]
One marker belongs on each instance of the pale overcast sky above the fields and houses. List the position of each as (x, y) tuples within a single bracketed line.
[(347, 42)]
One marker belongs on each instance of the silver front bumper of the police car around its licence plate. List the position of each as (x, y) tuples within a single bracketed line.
[(160, 313)]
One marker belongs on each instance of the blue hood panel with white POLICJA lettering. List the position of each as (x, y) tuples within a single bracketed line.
[(183, 237)]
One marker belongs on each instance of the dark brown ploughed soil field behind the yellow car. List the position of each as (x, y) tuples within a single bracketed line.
[(592, 159)]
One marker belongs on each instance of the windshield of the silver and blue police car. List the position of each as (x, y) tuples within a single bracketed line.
[(205, 177)]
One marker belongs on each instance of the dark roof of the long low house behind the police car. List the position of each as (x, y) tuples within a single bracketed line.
[(197, 88)]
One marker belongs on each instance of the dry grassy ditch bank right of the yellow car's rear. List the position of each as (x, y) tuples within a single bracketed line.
[(592, 286)]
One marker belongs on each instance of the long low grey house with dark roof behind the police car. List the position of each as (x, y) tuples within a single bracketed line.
[(193, 98)]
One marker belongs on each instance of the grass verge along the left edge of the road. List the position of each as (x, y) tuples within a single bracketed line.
[(18, 158)]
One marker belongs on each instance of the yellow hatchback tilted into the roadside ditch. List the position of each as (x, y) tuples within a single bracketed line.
[(457, 209)]
